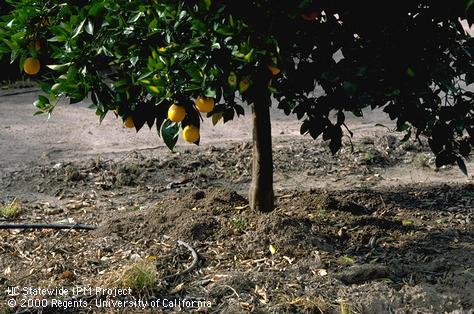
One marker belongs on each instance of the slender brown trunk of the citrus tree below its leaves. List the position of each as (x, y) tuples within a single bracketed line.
[(261, 189)]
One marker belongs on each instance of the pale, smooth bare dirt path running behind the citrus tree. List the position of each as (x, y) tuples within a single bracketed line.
[(73, 133)]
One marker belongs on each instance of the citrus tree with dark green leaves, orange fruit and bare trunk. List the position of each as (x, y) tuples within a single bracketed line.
[(173, 63)]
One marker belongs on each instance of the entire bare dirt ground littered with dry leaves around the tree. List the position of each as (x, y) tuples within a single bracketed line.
[(374, 229)]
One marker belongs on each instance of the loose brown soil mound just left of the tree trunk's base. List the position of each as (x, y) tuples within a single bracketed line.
[(189, 215)]
